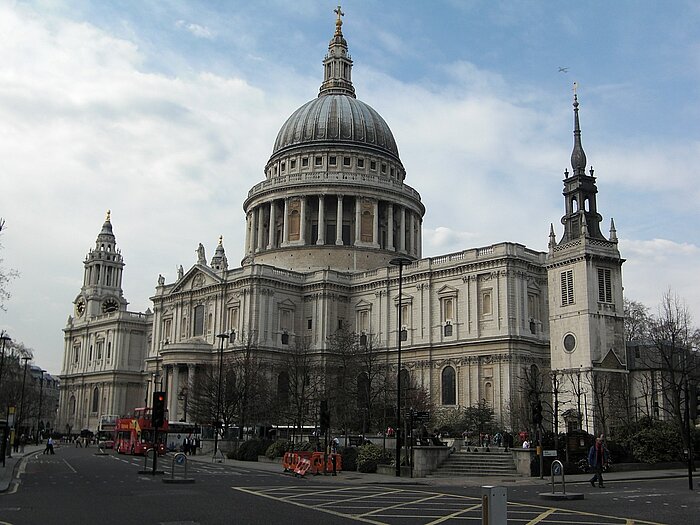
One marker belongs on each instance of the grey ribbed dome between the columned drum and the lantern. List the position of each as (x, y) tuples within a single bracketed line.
[(336, 119)]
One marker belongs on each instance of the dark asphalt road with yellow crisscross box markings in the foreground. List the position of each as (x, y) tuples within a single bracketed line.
[(76, 486)]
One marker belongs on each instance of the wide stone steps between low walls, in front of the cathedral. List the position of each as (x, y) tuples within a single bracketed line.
[(469, 464)]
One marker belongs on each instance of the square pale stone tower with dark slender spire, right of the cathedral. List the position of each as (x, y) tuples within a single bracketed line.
[(584, 270)]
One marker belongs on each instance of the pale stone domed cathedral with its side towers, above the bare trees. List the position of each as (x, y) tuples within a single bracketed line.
[(333, 210)]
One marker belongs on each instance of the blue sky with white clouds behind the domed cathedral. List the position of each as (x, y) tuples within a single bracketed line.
[(165, 113)]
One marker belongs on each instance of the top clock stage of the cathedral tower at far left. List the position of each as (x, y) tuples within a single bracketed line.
[(101, 292)]
